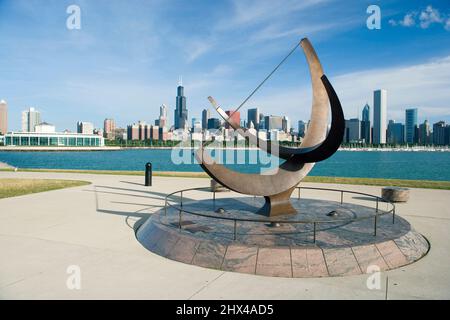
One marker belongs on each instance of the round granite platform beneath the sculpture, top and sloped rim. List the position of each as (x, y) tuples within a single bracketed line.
[(286, 250)]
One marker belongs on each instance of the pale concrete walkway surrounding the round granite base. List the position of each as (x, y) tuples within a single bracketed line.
[(91, 227)]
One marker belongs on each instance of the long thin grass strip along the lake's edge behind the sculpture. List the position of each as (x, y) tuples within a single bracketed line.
[(428, 184)]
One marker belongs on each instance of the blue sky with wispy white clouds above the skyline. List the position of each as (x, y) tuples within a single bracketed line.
[(126, 59)]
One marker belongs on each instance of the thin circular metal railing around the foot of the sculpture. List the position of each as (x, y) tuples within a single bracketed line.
[(315, 223)]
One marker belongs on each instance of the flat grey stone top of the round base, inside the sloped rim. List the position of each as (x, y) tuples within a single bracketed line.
[(352, 226)]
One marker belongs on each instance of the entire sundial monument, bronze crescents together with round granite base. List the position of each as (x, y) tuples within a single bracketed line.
[(191, 230)]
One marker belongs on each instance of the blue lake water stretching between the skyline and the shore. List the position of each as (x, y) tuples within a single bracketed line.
[(399, 165)]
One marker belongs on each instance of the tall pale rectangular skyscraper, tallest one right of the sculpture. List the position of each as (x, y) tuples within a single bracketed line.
[(379, 116)]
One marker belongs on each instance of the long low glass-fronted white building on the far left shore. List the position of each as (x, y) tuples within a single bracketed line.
[(53, 139)]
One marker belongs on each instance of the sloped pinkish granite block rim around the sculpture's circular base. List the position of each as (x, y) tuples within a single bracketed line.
[(298, 261)]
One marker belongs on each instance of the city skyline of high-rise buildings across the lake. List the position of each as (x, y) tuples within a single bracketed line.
[(358, 129)]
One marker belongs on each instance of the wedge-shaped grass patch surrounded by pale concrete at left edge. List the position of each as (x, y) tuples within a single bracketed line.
[(18, 187)]
